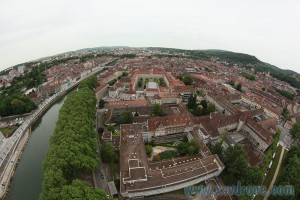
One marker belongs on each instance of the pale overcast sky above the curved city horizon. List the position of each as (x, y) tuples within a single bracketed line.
[(268, 29)]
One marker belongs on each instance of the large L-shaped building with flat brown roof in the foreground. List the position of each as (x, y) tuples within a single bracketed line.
[(140, 178)]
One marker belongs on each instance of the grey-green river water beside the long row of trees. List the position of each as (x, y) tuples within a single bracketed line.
[(28, 177)]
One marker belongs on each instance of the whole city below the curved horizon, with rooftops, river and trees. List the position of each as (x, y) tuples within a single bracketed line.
[(151, 123)]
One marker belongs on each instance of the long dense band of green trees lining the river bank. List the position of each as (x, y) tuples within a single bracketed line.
[(72, 148)]
